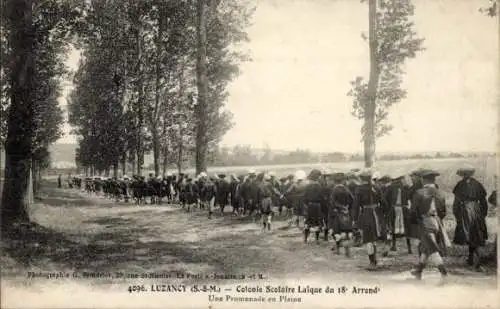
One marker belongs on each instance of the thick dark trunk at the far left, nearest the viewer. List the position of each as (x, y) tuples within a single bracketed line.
[(18, 147)]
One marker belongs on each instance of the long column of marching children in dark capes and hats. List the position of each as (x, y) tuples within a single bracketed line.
[(354, 208)]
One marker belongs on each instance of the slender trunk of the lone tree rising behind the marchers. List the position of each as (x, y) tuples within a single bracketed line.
[(369, 126)]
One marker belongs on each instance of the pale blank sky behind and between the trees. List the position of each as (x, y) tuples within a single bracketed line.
[(294, 92)]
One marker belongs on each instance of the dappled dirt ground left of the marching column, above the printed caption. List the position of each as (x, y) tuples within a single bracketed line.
[(150, 240)]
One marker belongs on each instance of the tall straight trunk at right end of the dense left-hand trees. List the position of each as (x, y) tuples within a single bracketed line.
[(202, 86)]
